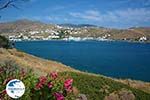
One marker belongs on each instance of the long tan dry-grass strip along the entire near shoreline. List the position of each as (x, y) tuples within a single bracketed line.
[(40, 67)]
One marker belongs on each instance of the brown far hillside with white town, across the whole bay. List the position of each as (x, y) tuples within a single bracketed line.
[(34, 30)]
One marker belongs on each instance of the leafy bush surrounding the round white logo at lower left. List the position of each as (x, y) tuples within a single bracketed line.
[(9, 71)]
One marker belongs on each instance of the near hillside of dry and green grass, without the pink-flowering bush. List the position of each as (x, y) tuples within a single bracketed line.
[(93, 86)]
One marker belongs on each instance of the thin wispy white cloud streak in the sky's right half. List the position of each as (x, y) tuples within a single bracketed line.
[(129, 15)]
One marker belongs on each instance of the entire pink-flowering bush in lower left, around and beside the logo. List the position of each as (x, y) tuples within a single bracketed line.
[(50, 87)]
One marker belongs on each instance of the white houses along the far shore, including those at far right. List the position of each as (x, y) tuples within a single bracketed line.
[(52, 34)]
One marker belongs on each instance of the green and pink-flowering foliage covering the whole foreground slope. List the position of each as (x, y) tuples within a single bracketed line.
[(59, 86)]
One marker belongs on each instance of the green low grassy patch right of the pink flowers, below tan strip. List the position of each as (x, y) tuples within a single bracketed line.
[(97, 87)]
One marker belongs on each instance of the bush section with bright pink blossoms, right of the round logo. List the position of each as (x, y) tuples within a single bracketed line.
[(51, 87)]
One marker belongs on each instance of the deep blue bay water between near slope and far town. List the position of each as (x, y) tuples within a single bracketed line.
[(114, 59)]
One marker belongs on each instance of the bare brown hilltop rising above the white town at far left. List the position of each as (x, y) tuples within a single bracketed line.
[(23, 26)]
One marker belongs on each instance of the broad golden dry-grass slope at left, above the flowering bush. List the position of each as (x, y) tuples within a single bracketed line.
[(39, 66)]
